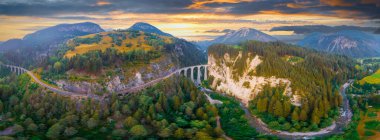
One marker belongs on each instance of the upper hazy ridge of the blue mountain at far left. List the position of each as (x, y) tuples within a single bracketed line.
[(53, 35)]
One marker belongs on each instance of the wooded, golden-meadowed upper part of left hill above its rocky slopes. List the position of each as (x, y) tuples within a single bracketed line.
[(121, 47)]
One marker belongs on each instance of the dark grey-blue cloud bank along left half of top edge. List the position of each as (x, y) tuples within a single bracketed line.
[(59, 7)]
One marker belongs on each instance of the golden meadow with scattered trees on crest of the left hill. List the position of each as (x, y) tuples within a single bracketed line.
[(123, 41)]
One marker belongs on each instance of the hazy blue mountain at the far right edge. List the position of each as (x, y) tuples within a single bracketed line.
[(348, 42)]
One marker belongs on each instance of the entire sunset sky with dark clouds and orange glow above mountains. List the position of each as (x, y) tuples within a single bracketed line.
[(189, 19)]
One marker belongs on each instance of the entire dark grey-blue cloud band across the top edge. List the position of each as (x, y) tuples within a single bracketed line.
[(365, 8)]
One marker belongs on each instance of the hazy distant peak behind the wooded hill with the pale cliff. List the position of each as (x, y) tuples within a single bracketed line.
[(234, 37)]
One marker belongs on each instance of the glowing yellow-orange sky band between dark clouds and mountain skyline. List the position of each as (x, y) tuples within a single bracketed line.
[(191, 26)]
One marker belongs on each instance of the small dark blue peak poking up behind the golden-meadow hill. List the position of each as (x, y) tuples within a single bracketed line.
[(147, 28)]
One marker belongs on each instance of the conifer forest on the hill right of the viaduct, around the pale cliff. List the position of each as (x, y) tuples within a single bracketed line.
[(314, 77)]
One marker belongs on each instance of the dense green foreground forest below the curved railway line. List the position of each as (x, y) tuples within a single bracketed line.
[(174, 108)]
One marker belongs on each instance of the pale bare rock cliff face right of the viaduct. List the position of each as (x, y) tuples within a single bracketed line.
[(246, 86)]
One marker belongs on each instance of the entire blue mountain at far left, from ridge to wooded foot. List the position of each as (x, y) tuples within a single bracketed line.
[(35, 48)]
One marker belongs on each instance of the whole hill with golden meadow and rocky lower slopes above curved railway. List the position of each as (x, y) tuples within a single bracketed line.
[(112, 61)]
